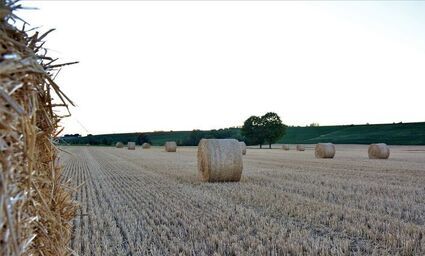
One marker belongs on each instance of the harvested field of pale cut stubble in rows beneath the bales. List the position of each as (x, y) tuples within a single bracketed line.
[(149, 202)]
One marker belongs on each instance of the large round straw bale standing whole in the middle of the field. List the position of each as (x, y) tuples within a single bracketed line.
[(219, 160)]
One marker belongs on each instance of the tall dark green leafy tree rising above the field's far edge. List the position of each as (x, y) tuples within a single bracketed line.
[(259, 130)]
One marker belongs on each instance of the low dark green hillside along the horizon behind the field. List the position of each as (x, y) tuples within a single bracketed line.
[(392, 134)]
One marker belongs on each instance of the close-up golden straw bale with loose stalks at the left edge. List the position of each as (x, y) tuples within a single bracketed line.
[(36, 208)]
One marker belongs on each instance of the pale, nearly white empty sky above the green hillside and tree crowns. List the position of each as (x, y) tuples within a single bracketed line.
[(149, 66)]
